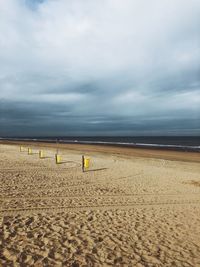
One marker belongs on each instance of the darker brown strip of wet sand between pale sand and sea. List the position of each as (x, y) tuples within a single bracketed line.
[(124, 151)]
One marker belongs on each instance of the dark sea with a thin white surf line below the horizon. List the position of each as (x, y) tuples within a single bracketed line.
[(183, 143)]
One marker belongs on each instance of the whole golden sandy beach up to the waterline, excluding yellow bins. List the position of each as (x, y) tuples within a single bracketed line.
[(132, 208)]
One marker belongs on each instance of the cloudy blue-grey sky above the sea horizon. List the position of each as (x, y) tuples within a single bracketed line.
[(103, 67)]
